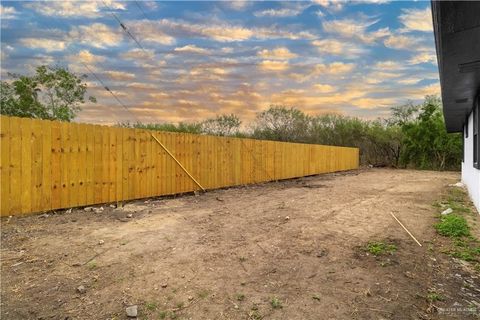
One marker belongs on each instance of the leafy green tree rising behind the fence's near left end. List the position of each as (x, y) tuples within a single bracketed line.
[(51, 93)]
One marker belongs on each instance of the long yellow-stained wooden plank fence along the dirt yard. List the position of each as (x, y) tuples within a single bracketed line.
[(48, 165)]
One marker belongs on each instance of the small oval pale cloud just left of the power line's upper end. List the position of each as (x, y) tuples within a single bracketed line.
[(96, 35)]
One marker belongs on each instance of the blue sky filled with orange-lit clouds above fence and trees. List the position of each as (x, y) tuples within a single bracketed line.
[(188, 61)]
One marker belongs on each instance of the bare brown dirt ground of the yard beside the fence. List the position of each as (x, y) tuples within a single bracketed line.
[(280, 250)]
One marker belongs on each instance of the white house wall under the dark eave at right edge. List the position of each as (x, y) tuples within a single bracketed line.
[(471, 175)]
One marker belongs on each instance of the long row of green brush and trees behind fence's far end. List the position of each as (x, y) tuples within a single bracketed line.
[(413, 136)]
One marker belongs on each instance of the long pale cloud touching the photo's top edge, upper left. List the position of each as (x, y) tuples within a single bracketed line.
[(73, 8)]
